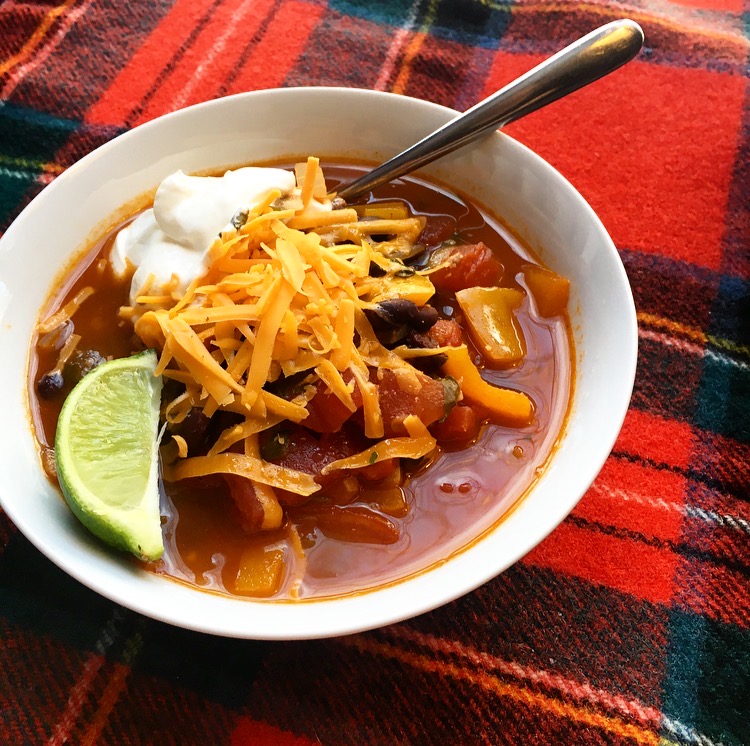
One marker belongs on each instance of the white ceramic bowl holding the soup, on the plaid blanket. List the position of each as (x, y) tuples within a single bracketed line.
[(529, 195)]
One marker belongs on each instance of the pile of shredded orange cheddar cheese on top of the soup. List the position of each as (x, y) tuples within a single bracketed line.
[(284, 294)]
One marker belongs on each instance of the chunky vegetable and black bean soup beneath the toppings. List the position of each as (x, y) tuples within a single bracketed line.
[(390, 517)]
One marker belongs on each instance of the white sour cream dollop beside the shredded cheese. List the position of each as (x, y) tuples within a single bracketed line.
[(189, 212)]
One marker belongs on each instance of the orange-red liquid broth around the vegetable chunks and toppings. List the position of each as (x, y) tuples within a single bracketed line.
[(438, 507)]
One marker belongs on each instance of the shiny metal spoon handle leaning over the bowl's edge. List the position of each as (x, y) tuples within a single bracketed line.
[(586, 60)]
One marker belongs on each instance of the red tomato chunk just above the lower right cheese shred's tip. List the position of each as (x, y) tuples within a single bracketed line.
[(396, 403)]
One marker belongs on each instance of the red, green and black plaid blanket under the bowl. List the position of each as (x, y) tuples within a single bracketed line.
[(631, 622)]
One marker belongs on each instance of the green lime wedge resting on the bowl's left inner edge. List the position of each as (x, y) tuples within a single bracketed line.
[(106, 450)]
